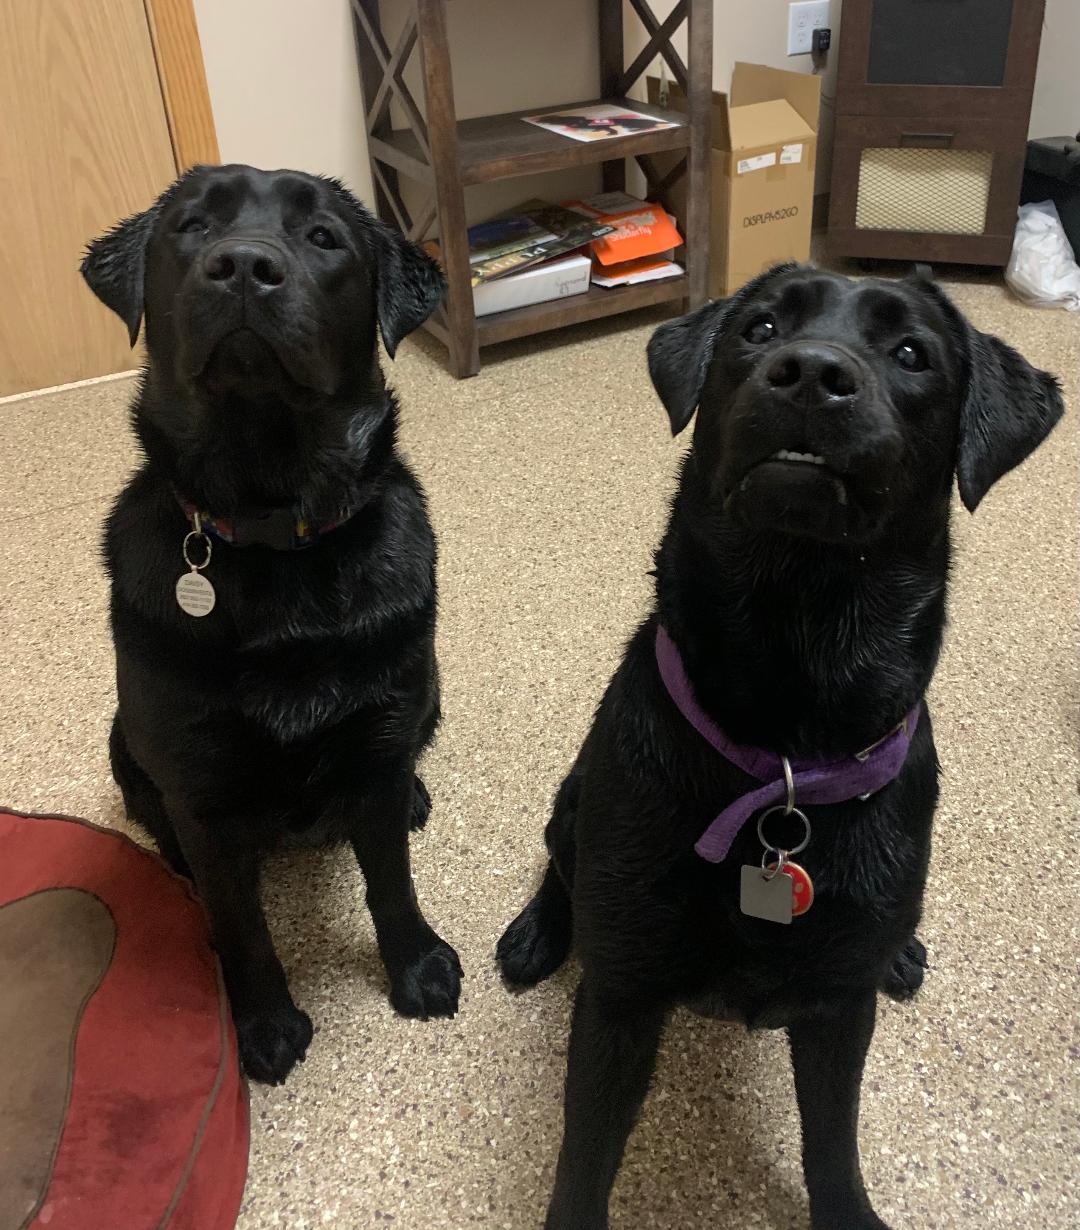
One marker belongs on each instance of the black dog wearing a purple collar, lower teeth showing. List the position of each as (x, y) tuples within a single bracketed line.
[(803, 582)]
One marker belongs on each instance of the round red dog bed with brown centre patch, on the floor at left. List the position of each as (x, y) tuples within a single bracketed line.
[(122, 1106)]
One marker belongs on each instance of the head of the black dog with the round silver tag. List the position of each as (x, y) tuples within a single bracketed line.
[(263, 280)]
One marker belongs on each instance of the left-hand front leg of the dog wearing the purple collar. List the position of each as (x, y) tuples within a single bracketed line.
[(613, 1050)]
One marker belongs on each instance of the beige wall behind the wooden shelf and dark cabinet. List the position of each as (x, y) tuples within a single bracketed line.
[(285, 88)]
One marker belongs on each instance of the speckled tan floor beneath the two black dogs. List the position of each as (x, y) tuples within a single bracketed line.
[(548, 478)]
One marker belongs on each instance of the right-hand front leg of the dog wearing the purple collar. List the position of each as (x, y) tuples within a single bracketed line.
[(827, 1055)]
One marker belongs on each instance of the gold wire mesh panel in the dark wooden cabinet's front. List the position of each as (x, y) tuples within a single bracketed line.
[(921, 190)]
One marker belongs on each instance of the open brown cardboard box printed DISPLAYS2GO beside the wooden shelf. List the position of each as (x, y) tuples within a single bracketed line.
[(764, 153)]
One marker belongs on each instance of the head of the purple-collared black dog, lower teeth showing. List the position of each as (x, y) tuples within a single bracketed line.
[(837, 409)]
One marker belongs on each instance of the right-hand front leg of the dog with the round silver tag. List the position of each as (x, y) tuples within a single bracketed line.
[(425, 971)]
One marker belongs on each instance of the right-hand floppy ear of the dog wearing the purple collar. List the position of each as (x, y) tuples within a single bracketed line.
[(1009, 410)]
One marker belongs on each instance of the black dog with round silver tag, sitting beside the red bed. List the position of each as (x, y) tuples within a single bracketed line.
[(291, 697)]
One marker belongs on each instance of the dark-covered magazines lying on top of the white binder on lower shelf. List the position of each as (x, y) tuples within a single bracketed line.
[(543, 232)]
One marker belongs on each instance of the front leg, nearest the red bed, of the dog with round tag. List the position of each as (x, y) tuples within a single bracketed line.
[(271, 1031)]
